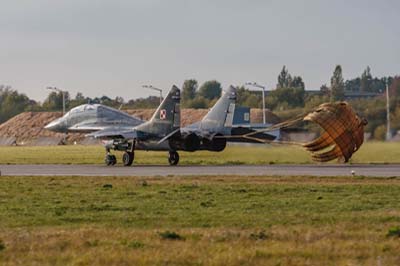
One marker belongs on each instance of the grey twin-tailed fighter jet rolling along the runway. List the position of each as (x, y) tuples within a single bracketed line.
[(162, 132)]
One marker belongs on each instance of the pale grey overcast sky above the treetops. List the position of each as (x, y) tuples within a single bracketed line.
[(111, 48)]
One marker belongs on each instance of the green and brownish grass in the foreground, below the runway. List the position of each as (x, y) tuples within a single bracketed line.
[(224, 220)]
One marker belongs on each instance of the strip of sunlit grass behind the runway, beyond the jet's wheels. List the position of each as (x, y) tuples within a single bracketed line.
[(370, 152)]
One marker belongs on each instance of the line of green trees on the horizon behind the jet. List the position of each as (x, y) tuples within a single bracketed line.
[(287, 98)]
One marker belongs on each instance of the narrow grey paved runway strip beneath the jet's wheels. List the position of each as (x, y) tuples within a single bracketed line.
[(157, 170)]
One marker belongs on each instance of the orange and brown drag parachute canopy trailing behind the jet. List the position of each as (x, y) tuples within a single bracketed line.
[(343, 132)]
